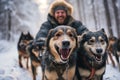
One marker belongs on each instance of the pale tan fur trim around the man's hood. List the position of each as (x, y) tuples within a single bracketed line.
[(61, 3)]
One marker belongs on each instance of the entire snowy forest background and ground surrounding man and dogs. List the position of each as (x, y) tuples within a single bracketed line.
[(18, 16)]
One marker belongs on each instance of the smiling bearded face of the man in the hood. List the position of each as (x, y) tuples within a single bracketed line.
[(60, 16)]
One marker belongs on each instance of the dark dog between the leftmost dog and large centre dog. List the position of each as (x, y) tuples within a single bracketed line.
[(35, 50)]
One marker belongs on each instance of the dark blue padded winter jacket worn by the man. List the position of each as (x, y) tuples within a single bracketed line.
[(52, 23)]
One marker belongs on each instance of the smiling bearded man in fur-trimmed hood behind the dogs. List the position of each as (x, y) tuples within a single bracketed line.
[(60, 13)]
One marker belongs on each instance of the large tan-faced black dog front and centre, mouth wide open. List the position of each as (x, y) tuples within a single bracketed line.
[(60, 57)]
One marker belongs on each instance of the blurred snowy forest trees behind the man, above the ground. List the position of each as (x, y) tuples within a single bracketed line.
[(27, 15)]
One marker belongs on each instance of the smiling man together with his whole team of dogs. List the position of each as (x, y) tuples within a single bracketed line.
[(65, 49)]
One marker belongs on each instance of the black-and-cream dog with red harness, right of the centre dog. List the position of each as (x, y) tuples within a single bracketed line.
[(91, 56)]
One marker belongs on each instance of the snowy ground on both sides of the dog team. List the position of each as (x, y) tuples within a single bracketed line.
[(10, 70)]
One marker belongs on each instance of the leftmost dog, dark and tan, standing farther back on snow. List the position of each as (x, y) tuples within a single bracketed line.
[(24, 40)]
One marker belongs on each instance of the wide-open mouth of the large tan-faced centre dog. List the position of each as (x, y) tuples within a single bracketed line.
[(64, 53)]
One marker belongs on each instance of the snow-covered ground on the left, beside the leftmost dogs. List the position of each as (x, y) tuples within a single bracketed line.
[(9, 67)]
